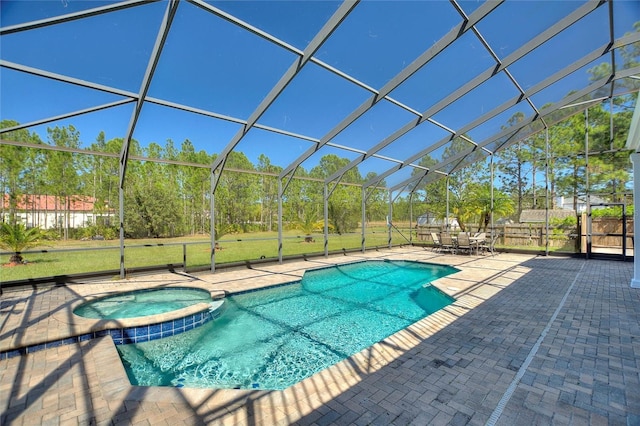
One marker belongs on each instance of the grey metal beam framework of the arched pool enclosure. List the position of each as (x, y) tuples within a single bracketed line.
[(512, 135)]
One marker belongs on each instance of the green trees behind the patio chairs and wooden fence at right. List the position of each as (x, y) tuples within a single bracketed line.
[(585, 155)]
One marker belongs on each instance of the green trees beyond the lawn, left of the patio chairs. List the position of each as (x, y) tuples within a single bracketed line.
[(165, 198)]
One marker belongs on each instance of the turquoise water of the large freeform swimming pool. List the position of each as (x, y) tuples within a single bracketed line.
[(274, 338)]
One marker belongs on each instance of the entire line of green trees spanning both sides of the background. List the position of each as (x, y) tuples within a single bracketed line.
[(166, 198)]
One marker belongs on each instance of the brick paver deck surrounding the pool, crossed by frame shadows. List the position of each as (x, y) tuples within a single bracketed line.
[(529, 340)]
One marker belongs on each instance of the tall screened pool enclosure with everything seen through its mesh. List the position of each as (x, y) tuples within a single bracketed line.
[(196, 134)]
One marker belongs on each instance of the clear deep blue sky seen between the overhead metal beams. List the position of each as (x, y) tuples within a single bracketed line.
[(210, 63)]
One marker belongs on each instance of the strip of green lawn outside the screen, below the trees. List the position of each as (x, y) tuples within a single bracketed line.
[(63, 258)]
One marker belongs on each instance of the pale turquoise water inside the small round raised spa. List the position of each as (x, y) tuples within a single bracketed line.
[(142, 303)]
